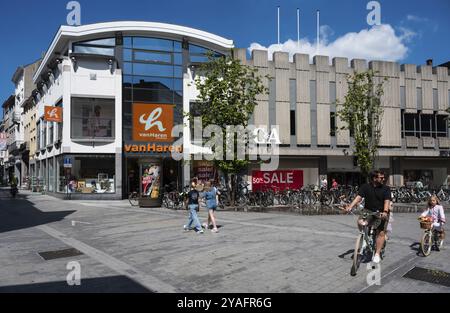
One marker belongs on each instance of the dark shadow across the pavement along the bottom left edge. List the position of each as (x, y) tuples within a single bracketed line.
[(113, 284)]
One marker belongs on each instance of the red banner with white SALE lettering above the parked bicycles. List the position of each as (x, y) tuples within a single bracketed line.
[(278, 180)]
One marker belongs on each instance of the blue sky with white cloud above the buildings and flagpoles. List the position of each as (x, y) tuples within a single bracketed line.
[(412, 31)]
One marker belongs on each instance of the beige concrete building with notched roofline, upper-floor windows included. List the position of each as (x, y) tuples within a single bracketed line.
[(415, 139)]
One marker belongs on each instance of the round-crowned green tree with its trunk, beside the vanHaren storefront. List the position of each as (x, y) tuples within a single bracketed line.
[(227, 96)]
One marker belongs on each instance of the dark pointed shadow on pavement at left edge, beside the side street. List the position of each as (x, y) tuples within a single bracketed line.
[(20, 213)]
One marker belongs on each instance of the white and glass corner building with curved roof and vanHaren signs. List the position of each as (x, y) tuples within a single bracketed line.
[(106, 78)]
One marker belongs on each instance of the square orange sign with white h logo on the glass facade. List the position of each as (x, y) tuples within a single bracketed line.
[(152, 122)]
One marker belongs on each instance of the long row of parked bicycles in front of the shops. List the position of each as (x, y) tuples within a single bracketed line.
[(307, 196)]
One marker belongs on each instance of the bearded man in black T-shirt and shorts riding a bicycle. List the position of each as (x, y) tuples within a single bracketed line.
[(377, 199)]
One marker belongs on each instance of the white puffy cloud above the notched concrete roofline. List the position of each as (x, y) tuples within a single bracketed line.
[(377, 43)]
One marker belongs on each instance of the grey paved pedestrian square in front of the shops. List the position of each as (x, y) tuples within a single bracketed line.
[(130, 249)]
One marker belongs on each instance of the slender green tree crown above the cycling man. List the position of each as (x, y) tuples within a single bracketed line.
[(361, 113)]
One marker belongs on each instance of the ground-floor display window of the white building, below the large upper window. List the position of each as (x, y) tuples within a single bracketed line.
[(90, 174)]
